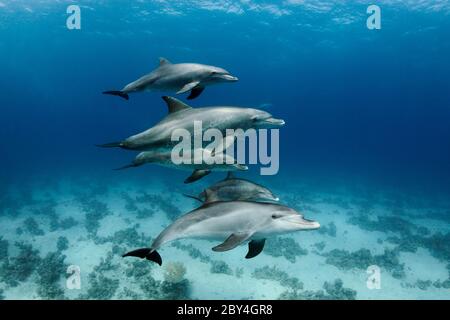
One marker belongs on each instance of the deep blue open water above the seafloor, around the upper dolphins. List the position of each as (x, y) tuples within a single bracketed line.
[(359, 105)]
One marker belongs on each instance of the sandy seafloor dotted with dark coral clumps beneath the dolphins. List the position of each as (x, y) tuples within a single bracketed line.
[(48, 224)]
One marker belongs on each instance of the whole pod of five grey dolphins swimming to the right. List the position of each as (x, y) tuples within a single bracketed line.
[(233, 211)]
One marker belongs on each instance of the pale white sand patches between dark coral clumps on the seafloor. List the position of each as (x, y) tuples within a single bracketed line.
[(311, 269)]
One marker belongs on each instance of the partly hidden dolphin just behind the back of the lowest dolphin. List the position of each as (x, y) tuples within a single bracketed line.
[(232, 189)]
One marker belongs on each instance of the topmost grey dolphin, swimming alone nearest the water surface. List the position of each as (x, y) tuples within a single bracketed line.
[(178, 77)]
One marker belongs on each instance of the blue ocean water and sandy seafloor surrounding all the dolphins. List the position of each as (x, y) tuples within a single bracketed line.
[(365, 149)]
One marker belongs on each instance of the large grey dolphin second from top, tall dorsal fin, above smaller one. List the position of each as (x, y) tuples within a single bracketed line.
[(183, 116)]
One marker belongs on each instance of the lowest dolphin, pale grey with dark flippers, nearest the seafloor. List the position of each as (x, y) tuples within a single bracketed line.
[(232, 223)]
